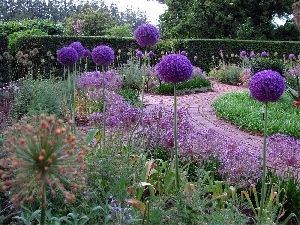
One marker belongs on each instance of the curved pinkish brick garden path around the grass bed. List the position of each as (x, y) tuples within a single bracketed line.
[(202, 114)]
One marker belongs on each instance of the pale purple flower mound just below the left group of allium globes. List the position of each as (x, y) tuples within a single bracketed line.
[(112, 80)]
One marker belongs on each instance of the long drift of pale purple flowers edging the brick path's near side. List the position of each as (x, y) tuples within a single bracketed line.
[(239, 164)]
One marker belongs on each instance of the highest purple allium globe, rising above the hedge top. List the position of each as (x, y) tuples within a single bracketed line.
[(146, 35)]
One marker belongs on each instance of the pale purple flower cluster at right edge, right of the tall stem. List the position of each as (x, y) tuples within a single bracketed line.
[(283, 153)]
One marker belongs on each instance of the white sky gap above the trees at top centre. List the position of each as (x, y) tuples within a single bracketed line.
[(152, 8)]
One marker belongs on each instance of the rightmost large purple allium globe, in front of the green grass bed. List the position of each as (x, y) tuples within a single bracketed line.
[(267, 86)]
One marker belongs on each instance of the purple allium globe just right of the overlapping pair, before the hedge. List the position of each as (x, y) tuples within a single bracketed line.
[(103, 55)]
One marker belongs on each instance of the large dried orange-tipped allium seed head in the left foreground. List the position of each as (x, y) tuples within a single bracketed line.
[(41, 154)]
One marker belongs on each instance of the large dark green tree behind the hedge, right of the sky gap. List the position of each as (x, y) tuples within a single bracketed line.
[(222, 18)]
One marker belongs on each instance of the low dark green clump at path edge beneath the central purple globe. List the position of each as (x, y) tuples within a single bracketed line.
[(197, 84)]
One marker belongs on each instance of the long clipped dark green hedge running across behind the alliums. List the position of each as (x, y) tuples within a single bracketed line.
[(204, 49)]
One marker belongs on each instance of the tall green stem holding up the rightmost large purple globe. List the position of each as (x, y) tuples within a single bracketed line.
[(263, 188)]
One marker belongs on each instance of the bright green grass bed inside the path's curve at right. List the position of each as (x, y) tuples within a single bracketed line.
[(246, 113)]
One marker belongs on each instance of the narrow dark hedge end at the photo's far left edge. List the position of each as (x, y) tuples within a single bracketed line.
[(3, 61)]
